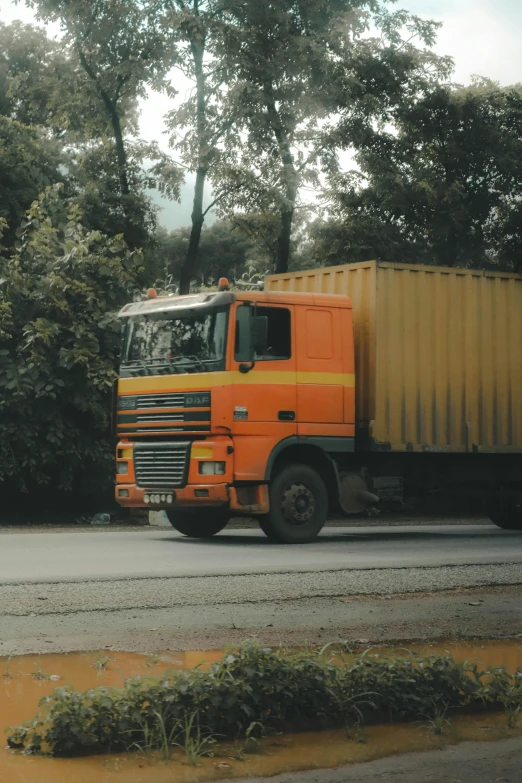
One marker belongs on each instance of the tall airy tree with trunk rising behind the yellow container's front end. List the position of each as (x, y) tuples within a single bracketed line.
[(297, 63)]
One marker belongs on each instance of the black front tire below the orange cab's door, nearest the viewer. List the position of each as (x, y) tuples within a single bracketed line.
[(298, 505)]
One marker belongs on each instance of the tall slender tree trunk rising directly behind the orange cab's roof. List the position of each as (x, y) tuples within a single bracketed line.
[(198, 218)]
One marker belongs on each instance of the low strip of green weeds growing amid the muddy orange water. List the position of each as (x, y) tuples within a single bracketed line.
[(268, 689)]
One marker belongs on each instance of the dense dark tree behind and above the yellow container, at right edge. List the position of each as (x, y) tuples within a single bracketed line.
[(444, 188)]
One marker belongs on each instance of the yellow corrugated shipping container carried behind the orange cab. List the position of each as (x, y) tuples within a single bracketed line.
[(438, 354)]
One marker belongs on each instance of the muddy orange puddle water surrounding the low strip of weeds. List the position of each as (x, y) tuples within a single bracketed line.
[(23, 683)]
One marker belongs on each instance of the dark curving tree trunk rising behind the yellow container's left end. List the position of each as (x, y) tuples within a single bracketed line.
[(290, 176)]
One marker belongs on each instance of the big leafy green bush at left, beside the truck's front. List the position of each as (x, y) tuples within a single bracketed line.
[(60, 291)]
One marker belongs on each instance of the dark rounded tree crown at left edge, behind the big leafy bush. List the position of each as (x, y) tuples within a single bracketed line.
[(29, 162)]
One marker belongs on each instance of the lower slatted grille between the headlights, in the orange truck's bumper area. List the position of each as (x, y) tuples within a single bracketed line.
[(160, 465)]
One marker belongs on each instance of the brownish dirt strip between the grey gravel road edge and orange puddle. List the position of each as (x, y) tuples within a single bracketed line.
[(492, 612)]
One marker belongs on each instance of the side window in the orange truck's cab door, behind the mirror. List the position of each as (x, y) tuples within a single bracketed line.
[(279, 334)]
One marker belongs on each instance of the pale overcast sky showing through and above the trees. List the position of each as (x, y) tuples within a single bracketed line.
[(482, 36)]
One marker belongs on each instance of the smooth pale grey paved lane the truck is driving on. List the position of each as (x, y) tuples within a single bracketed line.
[(147, 553)]
